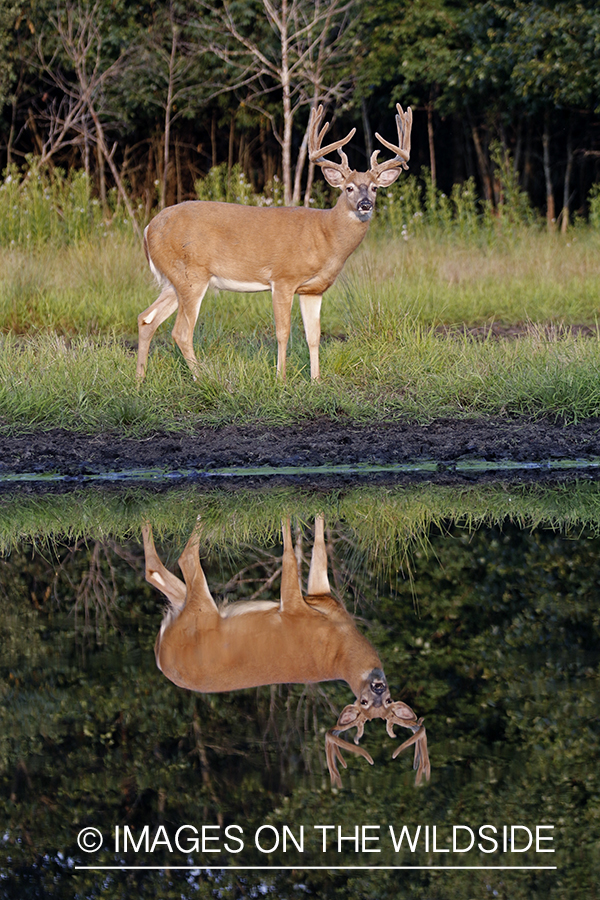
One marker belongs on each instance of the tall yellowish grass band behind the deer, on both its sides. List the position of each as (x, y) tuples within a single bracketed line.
[(98, 286)]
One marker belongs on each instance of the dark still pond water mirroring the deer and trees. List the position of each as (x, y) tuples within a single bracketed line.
[(473, 607)]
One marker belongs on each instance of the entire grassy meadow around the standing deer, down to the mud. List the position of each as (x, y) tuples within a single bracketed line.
[(390, 364)]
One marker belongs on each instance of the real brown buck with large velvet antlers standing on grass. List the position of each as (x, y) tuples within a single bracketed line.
[(199, 244)]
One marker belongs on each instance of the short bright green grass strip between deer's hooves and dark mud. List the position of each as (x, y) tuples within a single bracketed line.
[(390, 368)]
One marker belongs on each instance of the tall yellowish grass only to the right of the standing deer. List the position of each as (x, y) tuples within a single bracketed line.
[(520, 277)]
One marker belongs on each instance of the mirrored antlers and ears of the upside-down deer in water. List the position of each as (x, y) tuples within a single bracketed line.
[(397, 713)]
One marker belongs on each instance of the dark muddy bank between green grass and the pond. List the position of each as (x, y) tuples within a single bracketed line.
[(311, 444)]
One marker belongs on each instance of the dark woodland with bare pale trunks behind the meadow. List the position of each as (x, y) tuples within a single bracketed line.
[(148, 97)]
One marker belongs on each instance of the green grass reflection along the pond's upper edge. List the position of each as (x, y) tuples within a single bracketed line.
[(387, 524)]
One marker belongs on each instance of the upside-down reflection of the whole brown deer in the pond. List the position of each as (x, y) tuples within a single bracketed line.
[(299, 639)]
